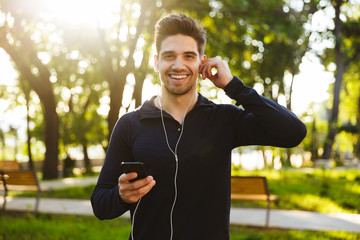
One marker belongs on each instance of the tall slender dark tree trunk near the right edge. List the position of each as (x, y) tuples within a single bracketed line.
[(333, 118)]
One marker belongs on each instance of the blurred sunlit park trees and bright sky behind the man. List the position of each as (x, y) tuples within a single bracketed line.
[(70, 69)]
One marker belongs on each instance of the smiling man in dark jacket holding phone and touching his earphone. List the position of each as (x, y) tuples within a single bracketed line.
[(185, 142)]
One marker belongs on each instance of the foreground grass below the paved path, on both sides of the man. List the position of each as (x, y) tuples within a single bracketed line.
[(16, 226)]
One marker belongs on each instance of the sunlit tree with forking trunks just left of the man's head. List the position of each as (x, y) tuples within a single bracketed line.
[(116, 65)]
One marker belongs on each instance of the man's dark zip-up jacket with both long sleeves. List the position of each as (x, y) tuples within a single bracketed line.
[(210, 133)]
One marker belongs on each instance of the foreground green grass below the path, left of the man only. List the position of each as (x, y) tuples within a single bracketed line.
[(51, 227)]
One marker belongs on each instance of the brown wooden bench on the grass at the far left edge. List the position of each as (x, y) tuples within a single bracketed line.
[(12, 178)]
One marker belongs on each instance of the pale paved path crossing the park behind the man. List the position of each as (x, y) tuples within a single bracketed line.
[(287, 219)]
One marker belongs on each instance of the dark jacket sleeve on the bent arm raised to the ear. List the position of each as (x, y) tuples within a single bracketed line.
[(263, 122)]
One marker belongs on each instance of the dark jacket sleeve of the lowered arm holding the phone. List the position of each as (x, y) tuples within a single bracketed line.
[(105, 199)]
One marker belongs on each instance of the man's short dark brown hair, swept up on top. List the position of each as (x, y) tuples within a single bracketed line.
[(179, 24)]
